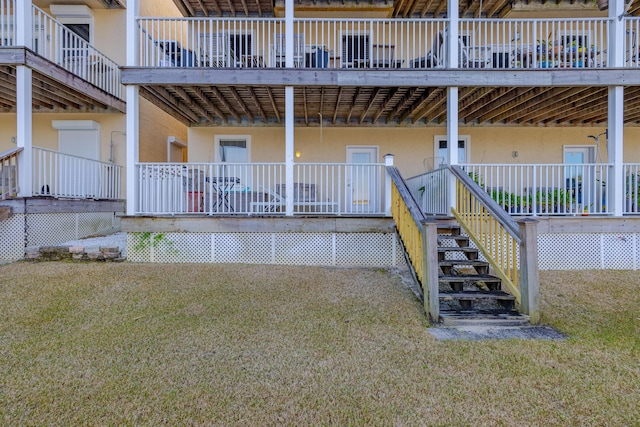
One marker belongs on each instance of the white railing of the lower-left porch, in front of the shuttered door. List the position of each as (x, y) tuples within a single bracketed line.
[(63, 175)]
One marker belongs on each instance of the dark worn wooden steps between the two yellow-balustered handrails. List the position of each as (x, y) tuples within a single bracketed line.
[(468, 293)]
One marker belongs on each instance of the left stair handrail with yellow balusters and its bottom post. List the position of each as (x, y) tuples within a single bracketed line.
[(420, 240)]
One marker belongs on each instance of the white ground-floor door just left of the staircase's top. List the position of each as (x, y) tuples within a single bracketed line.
[(362, 180)]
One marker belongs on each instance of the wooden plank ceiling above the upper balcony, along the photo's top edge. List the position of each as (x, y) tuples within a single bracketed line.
[(401, 8)]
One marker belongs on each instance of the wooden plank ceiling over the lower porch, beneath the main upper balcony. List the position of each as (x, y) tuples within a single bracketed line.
[(260, 105)]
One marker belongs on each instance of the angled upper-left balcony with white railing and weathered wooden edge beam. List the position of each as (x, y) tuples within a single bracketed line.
[(57, 44)]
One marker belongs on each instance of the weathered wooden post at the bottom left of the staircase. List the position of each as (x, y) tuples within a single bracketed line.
[(430, 269)]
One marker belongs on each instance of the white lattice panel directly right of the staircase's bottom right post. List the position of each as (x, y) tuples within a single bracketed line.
[(569, 251)]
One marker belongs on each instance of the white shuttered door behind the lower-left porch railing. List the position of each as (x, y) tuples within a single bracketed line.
[(78, 175)]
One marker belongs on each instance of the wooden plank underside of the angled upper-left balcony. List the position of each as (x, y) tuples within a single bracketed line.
[(49, 95)]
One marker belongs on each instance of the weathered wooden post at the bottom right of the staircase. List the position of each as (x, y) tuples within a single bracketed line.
[(529, 278)]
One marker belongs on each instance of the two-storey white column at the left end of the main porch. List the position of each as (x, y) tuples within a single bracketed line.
[(133, 111)]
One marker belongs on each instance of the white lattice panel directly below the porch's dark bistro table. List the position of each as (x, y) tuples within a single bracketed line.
[(253, 248)]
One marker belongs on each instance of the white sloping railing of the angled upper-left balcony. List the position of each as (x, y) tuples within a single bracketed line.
[(58, 44)]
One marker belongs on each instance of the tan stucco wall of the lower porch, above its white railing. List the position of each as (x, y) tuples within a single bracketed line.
[(411, 146)]
